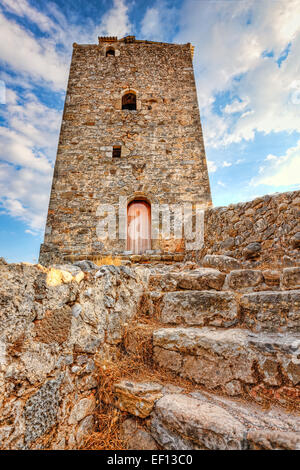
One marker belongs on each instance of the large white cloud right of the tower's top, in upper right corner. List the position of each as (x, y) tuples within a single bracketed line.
[(230, 39)]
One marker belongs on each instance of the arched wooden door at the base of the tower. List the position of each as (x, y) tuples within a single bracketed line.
[(138, 227)]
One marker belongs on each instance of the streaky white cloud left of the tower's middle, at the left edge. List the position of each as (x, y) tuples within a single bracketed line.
[(28, 145)]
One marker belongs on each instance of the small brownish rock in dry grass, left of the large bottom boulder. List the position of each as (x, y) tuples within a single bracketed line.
[(136, 437)]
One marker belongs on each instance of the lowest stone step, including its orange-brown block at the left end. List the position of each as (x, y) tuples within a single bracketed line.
[(184, 420)]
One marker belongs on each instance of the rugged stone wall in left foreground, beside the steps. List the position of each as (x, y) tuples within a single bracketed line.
[(53, 327)]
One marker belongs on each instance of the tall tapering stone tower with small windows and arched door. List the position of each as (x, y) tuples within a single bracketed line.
[(131, 130)]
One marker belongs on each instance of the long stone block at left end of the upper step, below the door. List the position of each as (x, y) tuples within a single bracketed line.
[(198, 279)]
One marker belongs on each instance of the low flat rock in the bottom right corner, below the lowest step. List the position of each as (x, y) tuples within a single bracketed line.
[(273, 440)]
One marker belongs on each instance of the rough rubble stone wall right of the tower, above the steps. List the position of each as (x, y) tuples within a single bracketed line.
[(269, 224)]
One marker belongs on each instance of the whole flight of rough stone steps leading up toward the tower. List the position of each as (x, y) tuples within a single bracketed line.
[(234, 334)]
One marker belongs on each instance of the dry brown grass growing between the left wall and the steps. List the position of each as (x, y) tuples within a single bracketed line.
[(134, 365)]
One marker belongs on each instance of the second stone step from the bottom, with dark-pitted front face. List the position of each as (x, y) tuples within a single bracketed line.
[(236, 361)]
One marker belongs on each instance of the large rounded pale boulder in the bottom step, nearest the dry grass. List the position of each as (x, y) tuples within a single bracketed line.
[(204, 425)]
